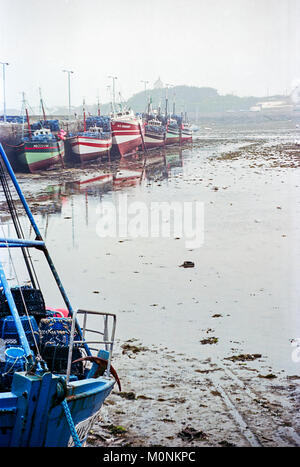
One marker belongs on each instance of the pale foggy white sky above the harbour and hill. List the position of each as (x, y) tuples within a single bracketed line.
[(248, 47)]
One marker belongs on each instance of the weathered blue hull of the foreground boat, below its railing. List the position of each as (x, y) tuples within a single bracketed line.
[(32, 414)]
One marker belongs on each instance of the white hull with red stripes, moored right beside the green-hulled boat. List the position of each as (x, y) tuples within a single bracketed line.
[(86, 148)]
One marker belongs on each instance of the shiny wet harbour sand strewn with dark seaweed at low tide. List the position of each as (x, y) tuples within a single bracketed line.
[(204, 354)]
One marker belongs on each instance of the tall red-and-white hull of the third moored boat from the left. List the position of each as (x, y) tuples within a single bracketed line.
[(126, 137)]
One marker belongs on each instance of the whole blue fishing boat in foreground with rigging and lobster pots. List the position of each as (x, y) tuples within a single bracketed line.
[(55, 364)]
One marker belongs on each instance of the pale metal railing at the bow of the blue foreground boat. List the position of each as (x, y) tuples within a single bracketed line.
[(104, 337)]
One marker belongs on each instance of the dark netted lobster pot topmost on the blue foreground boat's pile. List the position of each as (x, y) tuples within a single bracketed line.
[(33, 299)]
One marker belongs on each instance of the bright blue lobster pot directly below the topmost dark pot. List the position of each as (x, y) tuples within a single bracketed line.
[(9, 333)]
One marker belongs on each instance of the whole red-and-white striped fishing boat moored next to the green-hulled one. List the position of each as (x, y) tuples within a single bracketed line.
[(94, 142)]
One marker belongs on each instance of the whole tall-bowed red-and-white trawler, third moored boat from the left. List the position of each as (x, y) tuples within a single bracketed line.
[(126, 132)]
